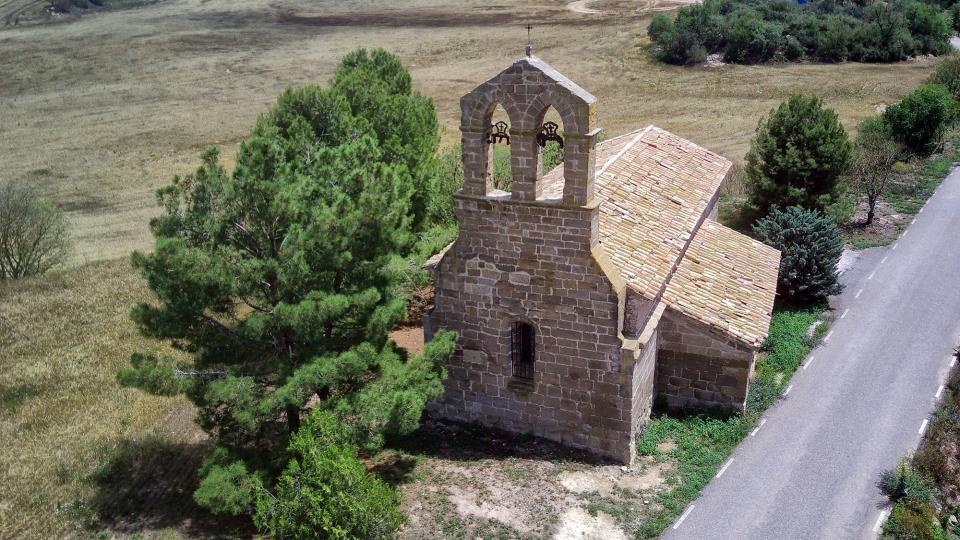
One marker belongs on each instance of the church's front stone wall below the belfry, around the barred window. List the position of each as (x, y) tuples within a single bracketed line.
[(530, 262)]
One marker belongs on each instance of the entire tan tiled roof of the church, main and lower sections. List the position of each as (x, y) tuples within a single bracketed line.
[(656, 189)]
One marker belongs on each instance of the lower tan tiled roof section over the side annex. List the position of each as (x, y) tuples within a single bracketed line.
[(727, 281)]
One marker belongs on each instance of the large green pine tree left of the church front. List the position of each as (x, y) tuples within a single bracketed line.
[(281, 281)]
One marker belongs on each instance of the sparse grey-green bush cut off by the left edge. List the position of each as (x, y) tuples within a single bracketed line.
[(33, 232)]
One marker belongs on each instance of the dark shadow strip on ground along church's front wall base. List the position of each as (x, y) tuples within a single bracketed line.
[(457, 441)]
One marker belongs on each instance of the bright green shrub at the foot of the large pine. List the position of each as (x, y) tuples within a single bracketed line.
[(325, 491)]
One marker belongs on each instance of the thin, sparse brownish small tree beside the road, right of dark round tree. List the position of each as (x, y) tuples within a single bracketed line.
[(876, 154)]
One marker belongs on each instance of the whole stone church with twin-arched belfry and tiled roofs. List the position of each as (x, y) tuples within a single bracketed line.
[(587, 293)]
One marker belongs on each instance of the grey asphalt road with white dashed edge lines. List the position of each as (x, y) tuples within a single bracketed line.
[(859, 403)]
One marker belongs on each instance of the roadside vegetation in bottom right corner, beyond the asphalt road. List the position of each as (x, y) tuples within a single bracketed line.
[(925, 488)]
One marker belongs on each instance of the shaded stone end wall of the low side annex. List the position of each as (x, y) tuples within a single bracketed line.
[(700, 368)]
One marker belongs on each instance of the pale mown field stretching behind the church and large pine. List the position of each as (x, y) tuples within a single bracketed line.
[(102, 108)]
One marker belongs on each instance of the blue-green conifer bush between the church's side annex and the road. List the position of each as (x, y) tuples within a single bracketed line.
[(810, 246)]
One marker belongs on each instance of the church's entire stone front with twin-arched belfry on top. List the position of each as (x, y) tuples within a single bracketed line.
[(524, 259)]
